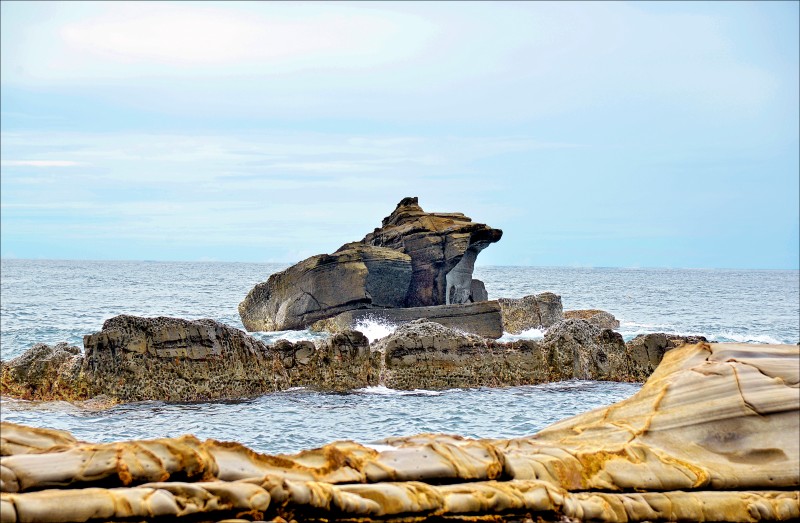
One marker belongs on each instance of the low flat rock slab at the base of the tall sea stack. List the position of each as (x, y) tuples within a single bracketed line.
[(482, 318)]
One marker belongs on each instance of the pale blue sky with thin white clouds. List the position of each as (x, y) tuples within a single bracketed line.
[(593, 134)]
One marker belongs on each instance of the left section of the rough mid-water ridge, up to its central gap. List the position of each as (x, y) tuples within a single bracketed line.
[(171, 359)]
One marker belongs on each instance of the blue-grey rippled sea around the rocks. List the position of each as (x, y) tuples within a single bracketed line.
[(50, 301)]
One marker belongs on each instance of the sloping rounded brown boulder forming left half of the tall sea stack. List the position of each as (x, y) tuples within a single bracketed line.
[(356, 276)]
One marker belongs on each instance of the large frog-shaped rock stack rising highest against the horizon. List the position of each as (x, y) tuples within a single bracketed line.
[(415, 259)]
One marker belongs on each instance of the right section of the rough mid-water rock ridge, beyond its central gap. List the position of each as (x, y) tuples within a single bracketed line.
[(427, 355)]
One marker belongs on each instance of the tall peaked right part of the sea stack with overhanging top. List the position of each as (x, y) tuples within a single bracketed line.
[(443, 248)]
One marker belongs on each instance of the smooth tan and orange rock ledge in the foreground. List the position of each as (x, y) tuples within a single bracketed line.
[(712, 436)]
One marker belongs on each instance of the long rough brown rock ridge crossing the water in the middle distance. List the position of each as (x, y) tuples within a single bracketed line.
[(170, 359)]
